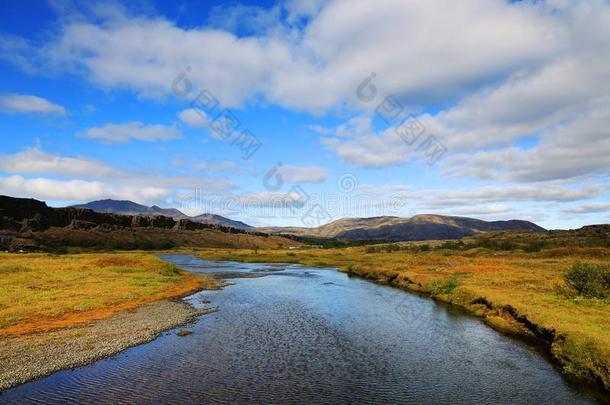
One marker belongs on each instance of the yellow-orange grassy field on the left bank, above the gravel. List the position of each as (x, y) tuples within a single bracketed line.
[(41, 292)]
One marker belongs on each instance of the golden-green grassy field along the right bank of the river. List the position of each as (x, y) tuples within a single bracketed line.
[(516, 292)]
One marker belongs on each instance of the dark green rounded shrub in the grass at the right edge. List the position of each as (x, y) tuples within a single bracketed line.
[(589, 280)]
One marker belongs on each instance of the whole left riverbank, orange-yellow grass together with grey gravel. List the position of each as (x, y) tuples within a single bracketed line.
[(59, 312)]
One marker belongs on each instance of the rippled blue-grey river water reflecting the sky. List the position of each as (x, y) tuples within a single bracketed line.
[(304, 335)]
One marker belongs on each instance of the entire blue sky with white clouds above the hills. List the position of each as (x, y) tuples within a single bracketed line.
[(485, 108)]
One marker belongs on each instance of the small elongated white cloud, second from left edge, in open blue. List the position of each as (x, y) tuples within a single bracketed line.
[(122, 133)]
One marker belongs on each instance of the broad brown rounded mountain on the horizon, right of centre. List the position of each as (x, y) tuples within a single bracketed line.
[(419, 227)]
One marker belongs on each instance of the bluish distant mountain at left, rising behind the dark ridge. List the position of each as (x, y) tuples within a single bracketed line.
[(125, 207)]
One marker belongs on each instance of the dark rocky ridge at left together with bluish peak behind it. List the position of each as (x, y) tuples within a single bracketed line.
[(31, 225)]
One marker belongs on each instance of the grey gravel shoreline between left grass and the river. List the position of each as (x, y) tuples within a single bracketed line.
[(24, 358)]
